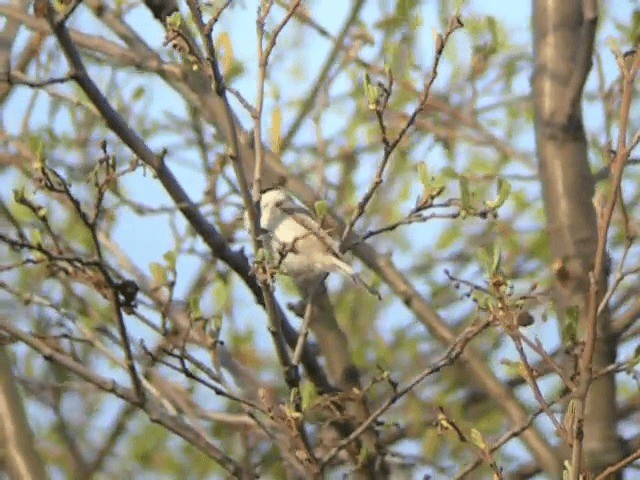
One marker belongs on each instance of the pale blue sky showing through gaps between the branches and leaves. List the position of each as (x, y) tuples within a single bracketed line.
[(146, 247)]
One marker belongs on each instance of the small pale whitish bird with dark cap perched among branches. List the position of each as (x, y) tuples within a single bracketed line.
[(297, 243)]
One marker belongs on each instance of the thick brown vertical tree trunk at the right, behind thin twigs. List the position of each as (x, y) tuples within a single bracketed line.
[(563, 46)]
